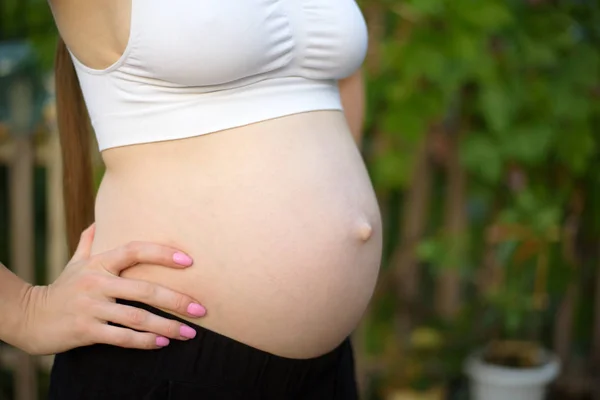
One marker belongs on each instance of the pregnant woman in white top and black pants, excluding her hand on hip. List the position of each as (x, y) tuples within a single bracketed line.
[(222, 130)]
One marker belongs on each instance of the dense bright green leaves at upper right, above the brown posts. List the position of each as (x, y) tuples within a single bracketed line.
[(522, 75)]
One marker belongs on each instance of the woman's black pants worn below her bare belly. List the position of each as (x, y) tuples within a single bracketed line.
[(210, 366)]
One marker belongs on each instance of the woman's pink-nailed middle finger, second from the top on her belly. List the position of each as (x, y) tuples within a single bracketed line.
[(154, 295)]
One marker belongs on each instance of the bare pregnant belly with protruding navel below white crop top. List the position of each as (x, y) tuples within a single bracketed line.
[(280, 218)]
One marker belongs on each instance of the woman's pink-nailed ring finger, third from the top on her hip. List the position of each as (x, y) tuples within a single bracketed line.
[(145, 321)]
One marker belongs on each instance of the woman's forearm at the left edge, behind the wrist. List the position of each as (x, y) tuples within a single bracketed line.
[(14, 296)]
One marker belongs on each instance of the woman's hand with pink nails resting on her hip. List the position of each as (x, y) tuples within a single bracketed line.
[(74, 310)]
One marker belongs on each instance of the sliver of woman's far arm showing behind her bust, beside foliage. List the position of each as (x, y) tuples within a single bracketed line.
[(352, 92)]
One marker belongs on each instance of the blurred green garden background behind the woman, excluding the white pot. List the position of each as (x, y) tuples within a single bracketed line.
[(481, 138)]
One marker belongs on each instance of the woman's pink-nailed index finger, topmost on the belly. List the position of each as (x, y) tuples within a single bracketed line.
[(115, 261)]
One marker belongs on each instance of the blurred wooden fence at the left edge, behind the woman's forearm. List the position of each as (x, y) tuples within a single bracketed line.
[(21, 155)]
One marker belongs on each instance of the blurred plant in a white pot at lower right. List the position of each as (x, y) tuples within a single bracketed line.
[(515, 365)]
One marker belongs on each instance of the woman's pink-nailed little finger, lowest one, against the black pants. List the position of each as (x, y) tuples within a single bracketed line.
[(123, 337)]
